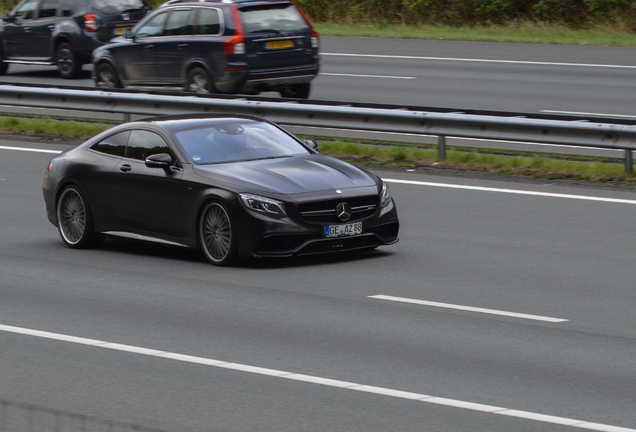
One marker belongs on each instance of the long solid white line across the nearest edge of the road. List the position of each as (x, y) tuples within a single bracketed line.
[(318, 380)]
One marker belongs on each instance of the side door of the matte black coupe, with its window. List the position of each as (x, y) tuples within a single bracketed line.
[(148, 199)]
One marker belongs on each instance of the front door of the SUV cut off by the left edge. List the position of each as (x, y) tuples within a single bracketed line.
[(18, 30)]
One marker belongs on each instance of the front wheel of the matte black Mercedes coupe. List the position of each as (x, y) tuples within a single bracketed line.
[(217, 234)]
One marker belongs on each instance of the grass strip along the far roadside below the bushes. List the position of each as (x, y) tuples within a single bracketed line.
[(539, 33)]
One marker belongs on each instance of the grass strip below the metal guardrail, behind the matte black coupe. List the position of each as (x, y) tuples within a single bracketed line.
[(380, 153)]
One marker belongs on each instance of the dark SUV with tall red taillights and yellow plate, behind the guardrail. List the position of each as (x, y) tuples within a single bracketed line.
[(224, 46)]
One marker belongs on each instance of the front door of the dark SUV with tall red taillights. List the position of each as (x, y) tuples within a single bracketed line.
[(137, 59)]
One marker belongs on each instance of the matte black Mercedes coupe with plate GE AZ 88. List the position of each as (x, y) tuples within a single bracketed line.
[(233, 186)]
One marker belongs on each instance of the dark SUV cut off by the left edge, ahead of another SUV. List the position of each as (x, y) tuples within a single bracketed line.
[(64, 33)]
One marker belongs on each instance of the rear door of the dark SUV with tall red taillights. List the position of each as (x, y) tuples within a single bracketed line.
[(172, 49)]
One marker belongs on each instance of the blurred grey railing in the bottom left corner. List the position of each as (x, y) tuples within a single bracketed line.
[(22, 417)]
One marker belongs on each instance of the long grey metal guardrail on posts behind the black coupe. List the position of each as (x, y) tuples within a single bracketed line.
[(564, 131)]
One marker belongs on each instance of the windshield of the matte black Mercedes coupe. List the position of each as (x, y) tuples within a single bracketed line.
[(238, 141)]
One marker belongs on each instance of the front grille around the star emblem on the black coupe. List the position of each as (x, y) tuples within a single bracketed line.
[(325, 211)]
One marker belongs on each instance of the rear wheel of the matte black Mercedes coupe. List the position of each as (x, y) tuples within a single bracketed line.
[(74, 220)]
